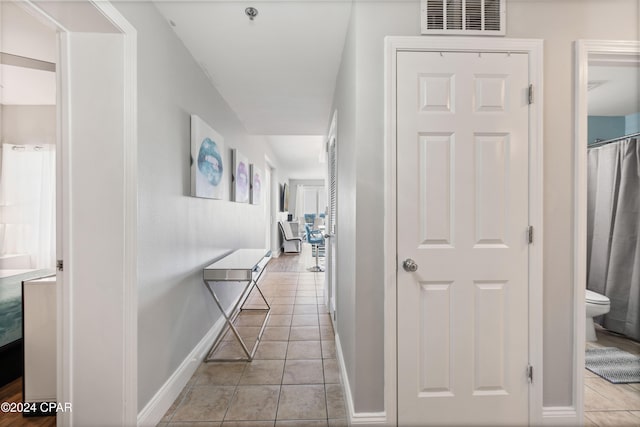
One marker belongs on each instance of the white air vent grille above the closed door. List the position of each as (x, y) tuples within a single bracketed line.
[(465, 17)]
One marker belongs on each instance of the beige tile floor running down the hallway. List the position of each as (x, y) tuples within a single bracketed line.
[(294, 379)]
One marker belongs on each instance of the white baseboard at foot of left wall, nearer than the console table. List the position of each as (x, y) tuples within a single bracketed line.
[(154, 411)]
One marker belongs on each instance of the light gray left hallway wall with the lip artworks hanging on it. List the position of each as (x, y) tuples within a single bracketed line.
[(177, 234)]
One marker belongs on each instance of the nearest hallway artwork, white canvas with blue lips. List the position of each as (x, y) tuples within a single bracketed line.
[(207, 161)]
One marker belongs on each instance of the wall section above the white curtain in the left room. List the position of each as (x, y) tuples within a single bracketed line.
[(28, 124)]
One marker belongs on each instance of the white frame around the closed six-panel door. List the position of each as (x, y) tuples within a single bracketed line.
[(534, 49)]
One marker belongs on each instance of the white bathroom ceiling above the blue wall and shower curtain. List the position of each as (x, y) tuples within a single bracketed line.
[(616, 90)]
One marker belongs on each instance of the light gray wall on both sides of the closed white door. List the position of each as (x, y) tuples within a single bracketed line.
[(359, 98)]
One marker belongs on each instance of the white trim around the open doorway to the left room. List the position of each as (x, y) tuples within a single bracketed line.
[(128, 288)]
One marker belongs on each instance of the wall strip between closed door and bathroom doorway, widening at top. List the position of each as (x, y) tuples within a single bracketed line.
[(560, 23)]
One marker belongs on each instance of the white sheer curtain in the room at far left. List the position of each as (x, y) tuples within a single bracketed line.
[(27, 202)]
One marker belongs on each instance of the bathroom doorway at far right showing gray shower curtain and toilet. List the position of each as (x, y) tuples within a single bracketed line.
[(606, 148)]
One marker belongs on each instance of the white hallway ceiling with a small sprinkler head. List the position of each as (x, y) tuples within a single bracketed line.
[(277, 72)]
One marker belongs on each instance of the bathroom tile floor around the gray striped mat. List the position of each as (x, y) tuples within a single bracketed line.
[(607, 404)]
